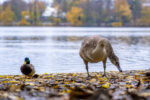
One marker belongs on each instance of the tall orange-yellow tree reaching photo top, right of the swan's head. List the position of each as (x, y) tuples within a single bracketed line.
[(122, 11)]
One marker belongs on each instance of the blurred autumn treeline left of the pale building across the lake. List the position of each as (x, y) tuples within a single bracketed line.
[(19, 12)]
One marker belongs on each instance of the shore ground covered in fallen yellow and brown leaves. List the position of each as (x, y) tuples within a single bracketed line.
[(129, 85)]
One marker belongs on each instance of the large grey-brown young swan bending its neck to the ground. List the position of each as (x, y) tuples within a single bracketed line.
[(95, 49)]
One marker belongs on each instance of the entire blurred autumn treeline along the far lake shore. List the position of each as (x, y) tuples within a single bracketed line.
[(77, 13)]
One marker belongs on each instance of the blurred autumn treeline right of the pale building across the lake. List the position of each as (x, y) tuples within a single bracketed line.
[(104, 12)]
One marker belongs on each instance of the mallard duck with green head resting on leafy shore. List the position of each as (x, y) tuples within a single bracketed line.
[(27, 69)]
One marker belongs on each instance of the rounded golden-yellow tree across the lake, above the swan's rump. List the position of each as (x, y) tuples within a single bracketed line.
[(75, 16)]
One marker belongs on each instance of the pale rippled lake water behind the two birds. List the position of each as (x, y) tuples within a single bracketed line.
[(56, 50)]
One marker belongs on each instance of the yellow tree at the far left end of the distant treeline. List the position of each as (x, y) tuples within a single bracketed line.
[(7, 16)]
